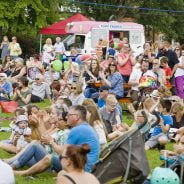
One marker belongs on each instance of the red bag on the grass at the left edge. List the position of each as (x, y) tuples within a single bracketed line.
[(8, 107)]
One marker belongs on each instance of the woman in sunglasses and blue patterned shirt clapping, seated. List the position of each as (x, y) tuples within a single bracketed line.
[(114, 80)]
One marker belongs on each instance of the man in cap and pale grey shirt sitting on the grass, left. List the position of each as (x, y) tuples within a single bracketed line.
[(40, 89)]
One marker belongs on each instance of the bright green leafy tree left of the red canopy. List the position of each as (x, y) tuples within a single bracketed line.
[(27, 16)]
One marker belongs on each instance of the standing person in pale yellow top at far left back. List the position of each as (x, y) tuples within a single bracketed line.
[(15, 49)]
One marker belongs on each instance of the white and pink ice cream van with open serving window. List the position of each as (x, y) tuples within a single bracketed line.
[(85, 34)]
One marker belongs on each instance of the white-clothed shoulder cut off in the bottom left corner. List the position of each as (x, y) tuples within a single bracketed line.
[(6, 174)]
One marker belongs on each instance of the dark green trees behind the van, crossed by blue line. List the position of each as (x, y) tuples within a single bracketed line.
[(170, 23)]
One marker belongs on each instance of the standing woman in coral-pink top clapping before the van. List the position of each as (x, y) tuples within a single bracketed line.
[(125, 62)]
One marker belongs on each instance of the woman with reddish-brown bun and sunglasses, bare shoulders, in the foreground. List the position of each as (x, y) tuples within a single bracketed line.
[(73, 162)]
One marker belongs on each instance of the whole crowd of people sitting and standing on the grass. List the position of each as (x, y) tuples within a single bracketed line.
[(85, 111)]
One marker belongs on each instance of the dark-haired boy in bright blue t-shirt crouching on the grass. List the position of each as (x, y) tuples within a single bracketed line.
[(160, 131)]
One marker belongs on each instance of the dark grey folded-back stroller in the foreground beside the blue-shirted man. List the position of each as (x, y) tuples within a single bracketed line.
[(124, 157)]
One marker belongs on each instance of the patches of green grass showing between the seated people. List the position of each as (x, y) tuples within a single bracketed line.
[(49, 178)]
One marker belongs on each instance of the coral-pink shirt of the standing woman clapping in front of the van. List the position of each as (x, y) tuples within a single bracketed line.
[(126, 69)]
